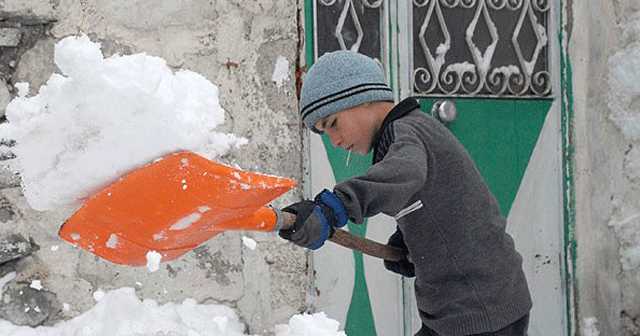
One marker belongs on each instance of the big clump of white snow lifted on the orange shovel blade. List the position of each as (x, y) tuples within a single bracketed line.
[(103, 117)]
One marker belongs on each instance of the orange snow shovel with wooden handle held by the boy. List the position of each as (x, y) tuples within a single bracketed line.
[(176, 203)]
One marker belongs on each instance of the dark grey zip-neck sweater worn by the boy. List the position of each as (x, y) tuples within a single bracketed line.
[(469, 276)]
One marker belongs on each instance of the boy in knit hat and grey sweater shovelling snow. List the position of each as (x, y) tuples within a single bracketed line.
[(469, 278)]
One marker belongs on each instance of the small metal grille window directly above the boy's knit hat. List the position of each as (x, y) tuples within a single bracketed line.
[(350, 25)]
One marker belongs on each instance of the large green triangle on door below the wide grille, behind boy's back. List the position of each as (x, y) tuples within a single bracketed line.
[(499, 135)]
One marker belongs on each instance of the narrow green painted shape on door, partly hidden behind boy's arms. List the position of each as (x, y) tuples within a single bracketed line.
[(359, 319)]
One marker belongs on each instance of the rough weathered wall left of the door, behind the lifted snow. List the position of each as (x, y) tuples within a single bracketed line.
[(235, 45)]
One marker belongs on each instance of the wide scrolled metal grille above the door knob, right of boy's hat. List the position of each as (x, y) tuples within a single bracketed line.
[(496, 48)]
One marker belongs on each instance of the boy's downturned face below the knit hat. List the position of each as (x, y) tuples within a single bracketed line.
[(352, 129)]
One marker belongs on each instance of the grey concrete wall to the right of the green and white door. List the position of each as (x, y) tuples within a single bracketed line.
[(607, 187)]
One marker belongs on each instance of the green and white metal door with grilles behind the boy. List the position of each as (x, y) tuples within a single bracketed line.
[(493, 62)]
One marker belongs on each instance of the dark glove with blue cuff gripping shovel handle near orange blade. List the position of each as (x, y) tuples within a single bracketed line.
[(311, 227)]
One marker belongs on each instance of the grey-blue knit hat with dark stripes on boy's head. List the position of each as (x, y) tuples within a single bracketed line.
[(338, 81)]
